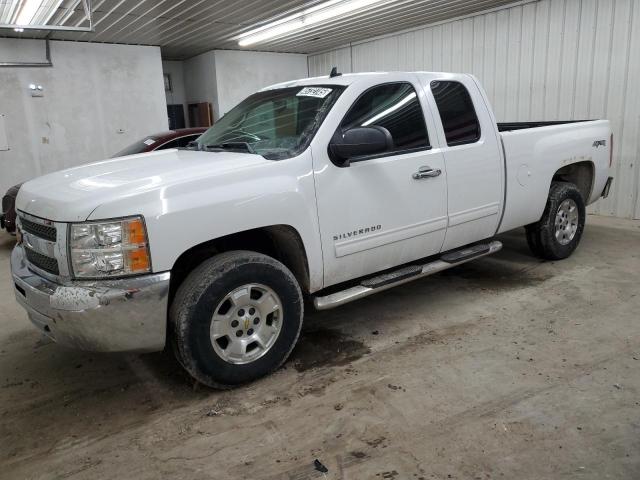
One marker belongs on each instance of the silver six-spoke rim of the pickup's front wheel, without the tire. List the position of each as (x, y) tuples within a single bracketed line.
[(246, 323)]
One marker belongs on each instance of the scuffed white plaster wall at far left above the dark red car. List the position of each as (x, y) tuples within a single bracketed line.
[(91, 92)]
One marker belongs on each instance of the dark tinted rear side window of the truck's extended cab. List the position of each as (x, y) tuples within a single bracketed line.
[(457, 113)]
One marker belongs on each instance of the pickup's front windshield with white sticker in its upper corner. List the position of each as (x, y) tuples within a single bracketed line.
[(276, 124)]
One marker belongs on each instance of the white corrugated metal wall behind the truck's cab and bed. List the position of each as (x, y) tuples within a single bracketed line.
[(545, 60)]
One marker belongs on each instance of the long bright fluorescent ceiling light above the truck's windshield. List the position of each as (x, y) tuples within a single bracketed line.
[(303, 19)]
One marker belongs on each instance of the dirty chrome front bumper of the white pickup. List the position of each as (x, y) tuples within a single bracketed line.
[(128, 315)]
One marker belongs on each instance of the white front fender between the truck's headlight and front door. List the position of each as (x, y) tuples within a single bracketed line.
[(181, 216)]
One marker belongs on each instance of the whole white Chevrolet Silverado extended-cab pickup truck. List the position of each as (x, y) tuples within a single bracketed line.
[(329, 188)]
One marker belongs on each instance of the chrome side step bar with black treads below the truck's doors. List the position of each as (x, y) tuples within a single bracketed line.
[(404, 275)]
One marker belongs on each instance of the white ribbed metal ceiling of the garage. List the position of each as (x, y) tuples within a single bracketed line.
[(184, 28)]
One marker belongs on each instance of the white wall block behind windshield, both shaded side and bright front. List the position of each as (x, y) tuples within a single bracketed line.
[(226, 77)]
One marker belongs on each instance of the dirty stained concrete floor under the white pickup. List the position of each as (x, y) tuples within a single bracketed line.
[(503, 368)]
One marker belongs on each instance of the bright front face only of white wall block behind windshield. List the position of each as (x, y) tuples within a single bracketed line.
[(239, 74)]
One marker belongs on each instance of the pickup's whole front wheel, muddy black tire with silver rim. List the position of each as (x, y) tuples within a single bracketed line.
[(236, 318)]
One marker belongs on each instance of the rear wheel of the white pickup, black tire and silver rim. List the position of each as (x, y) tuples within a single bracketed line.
[(557, 234)]
